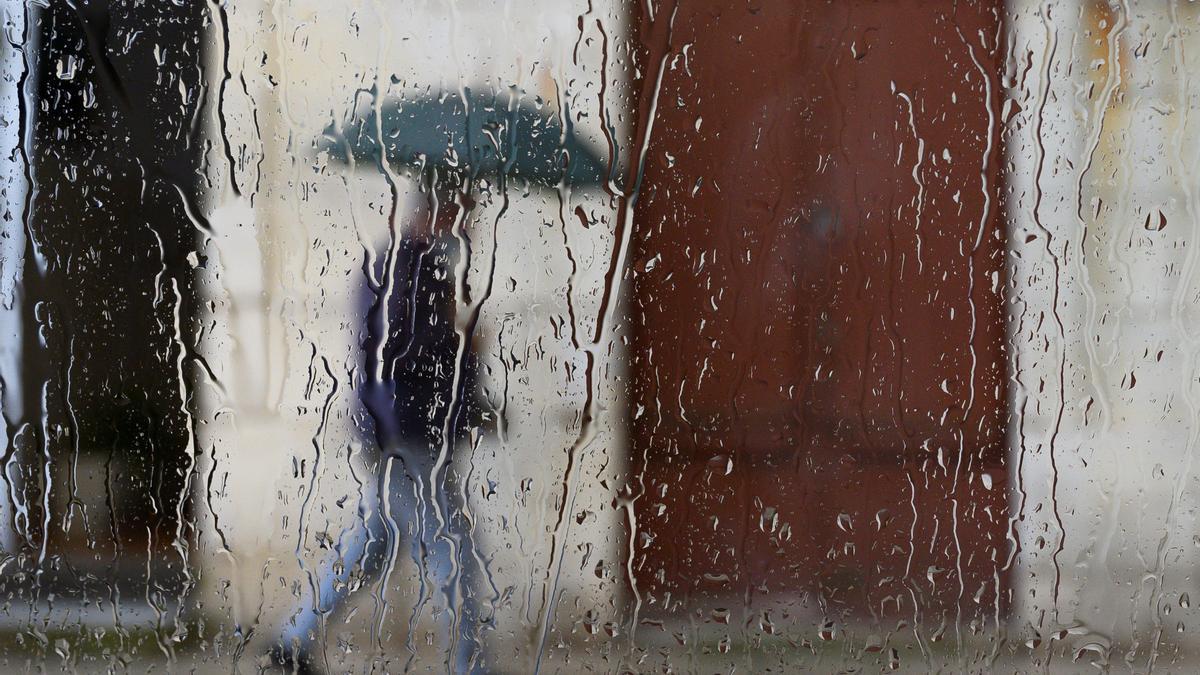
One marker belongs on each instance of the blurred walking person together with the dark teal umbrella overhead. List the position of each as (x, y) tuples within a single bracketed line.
[(421, 383)]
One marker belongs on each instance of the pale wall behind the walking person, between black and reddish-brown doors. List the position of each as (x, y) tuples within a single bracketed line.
[(285, 270)]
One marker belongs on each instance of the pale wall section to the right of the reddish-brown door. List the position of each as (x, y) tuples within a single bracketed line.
[(1103, 324)]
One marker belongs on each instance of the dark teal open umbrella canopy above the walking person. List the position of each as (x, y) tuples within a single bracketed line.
[(495, 135)]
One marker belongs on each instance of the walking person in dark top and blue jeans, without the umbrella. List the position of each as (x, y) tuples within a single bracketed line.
[(423, 399)]
